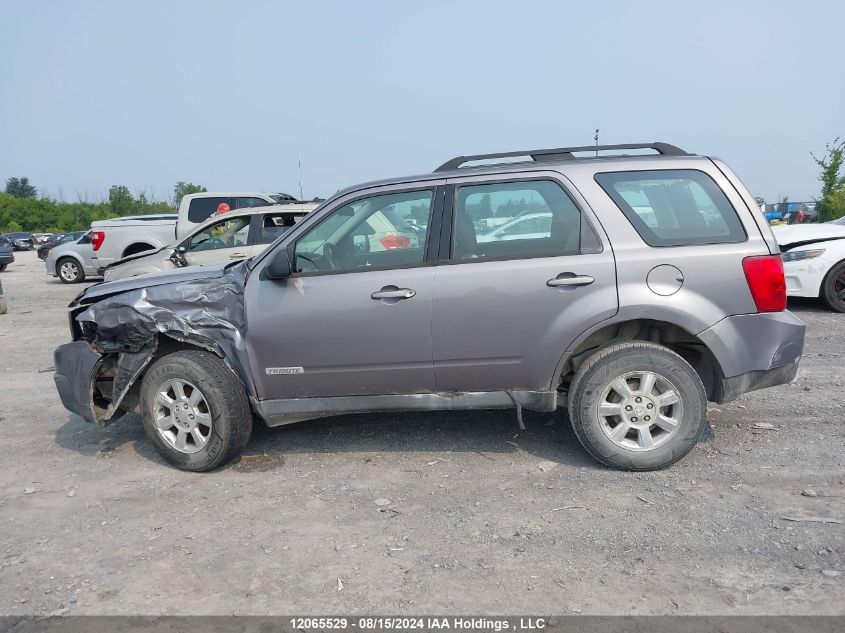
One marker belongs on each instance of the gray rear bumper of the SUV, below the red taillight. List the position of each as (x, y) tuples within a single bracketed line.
[(755, 351)]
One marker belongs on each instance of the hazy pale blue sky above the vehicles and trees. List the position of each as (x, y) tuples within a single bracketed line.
[(230, 94)]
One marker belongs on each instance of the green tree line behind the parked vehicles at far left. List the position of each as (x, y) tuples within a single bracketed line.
[(22, 209)]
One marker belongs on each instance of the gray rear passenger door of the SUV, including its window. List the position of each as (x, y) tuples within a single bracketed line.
[(507, 304)]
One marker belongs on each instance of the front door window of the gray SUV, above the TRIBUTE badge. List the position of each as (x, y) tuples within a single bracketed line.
[(376, 232)]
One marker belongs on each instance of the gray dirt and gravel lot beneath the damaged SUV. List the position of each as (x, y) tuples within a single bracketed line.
[(481, 517)]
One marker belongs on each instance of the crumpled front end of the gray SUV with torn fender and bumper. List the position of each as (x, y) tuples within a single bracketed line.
[(118, 327)]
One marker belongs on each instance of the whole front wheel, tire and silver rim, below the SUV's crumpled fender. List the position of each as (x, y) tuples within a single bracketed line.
[(195, 410)]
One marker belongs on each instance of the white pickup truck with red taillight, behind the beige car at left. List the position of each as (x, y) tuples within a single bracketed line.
[(120, 237)]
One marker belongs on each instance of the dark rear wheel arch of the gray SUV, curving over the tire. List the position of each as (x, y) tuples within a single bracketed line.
[(671, 335)]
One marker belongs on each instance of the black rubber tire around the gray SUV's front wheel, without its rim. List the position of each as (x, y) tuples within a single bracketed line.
[(227, 405)]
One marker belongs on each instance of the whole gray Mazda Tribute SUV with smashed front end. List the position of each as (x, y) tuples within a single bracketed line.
[(644, 287)]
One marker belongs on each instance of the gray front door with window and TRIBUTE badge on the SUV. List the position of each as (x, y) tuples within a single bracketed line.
[(355, 317)]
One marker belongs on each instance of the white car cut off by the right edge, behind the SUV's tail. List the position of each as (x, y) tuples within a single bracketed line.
[(814, 261)]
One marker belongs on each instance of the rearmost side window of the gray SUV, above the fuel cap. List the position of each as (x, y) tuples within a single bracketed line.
[(674, 207)]
